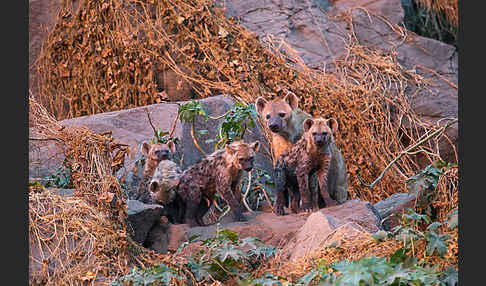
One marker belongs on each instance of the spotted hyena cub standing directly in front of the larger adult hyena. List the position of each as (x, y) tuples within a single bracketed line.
[(311, 154)]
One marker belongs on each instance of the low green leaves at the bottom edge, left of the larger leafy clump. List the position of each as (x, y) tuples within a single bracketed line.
[(159, 274)]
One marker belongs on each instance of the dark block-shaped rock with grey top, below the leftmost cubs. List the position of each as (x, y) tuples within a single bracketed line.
[(142, 218)]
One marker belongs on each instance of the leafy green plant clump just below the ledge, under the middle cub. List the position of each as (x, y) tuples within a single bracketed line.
[(224, 257)]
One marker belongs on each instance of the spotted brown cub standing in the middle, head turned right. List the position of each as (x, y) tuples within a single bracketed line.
[(219, 172)]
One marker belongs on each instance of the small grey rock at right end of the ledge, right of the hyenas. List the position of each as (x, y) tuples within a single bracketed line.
[(394, 204)]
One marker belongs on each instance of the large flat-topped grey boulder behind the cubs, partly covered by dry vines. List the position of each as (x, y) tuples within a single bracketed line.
[(131, 127)]
